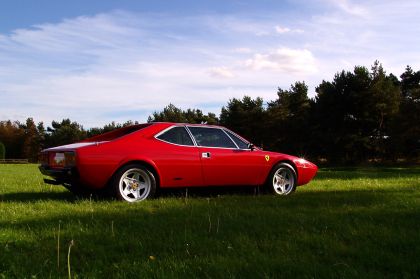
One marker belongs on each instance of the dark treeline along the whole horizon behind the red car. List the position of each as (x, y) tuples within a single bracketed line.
[(364, 115)]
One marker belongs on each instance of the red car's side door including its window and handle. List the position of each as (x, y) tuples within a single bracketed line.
[(223, 163)]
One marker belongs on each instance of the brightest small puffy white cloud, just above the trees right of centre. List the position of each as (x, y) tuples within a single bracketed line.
[(284, 60)]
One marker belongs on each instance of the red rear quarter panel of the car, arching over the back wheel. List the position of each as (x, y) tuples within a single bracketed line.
[(176, 166)]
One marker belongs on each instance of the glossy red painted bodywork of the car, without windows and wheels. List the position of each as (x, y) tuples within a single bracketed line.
[(98, 158)]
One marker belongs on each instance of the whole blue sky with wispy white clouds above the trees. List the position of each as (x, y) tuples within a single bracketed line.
[(101, 61)]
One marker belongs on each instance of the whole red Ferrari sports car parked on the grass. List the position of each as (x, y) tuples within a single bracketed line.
[(132, 162)]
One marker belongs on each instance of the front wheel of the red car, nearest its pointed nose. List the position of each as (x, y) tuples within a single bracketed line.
[(282, 180)]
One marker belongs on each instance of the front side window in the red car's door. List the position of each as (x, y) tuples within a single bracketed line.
[(211, 137)]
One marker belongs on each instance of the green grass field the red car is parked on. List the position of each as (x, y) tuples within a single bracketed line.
[(347, 223)]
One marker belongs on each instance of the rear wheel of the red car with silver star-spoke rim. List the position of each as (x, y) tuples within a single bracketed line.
[(133, 183)]
